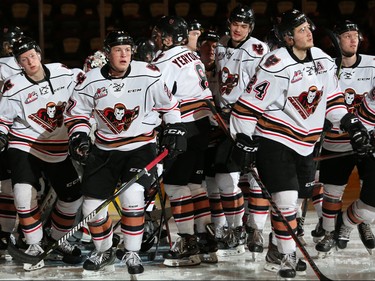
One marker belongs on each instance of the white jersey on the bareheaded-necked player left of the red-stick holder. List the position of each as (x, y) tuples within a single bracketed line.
[(31, 113)]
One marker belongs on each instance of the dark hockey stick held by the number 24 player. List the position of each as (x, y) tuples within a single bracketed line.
[(267, 195)]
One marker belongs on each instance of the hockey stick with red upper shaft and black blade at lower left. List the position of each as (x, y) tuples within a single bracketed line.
[(26, 258)]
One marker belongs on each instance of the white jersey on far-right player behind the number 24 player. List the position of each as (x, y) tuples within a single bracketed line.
[(355, 82)]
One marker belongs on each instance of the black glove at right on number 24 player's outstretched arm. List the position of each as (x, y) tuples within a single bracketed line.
[(359, 136)]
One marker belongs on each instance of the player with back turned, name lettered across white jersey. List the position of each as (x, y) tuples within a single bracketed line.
[(185, 75)]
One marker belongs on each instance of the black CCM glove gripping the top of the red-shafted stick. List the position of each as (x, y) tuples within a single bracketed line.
[(174, 139)]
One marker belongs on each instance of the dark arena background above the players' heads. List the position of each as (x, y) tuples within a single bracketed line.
[(81, 22)]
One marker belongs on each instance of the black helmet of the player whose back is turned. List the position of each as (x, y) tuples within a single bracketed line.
[(173, 26)]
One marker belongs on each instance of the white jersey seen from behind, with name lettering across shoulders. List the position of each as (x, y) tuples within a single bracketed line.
[(184, 74)]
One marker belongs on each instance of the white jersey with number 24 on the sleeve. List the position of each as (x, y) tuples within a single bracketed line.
[(288, 99)]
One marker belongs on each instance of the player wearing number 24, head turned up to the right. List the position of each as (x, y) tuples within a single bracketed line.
[(275, 129)]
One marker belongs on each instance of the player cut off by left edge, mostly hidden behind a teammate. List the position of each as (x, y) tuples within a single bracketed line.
[(8, 67)]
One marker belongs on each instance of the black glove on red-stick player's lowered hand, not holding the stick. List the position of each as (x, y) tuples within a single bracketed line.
[(79, 147)]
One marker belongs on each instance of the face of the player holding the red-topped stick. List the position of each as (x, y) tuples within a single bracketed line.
[(120, 57)]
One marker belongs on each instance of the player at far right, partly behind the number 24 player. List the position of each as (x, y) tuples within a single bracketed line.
[(356, 74)]
